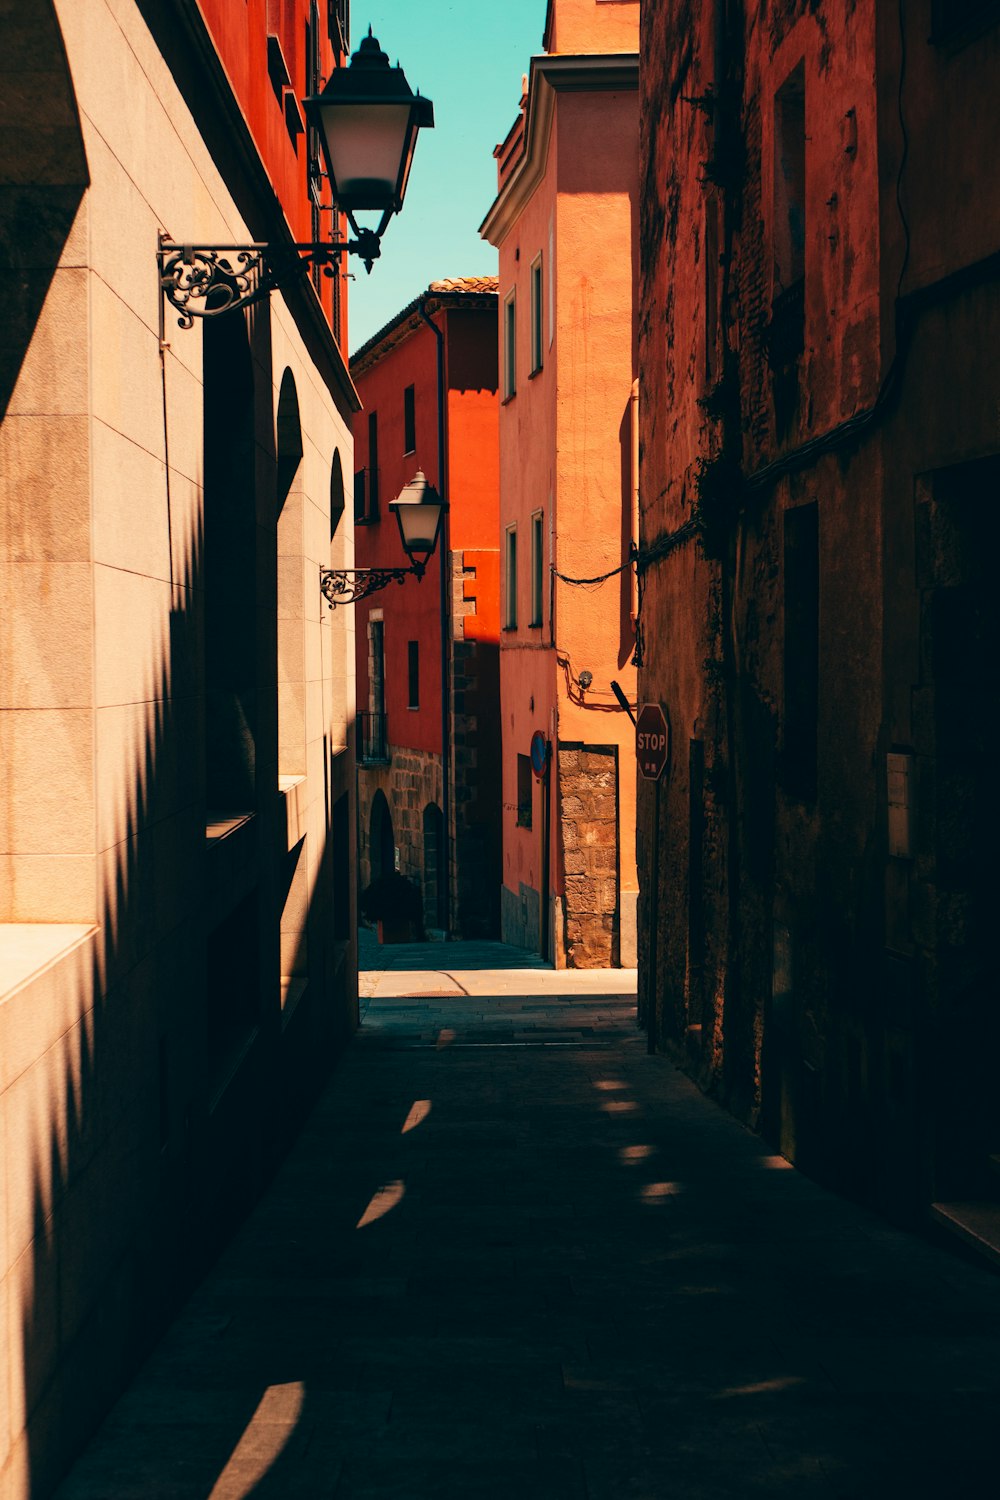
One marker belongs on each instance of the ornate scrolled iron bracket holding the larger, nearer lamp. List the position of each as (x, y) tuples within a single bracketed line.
[(205, 281)]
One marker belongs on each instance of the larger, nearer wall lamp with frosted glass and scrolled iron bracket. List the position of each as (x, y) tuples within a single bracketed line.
[(367, 121)]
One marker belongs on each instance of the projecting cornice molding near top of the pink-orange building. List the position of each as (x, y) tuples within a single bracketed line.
[(570, 73)]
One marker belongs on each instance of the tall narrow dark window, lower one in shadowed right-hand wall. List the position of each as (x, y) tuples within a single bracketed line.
[(801, 652)]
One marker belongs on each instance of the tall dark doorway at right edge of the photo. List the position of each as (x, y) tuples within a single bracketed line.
[(959, 533)]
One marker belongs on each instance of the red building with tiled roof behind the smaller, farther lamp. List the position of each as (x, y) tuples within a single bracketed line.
[(440, 832)]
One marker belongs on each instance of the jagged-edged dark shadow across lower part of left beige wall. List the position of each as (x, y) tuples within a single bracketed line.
[(164, 1112)]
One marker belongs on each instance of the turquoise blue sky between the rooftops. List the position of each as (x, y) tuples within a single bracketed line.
[(470, 62)]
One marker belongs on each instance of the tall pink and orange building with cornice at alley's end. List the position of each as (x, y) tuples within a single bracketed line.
[(566, 224)]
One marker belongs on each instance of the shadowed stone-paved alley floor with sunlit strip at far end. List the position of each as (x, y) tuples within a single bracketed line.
[(513, 1256)]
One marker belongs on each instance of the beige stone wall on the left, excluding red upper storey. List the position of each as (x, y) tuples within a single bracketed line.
[(122, 1123)]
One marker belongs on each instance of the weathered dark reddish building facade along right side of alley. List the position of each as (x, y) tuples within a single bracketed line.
[(819, 370)]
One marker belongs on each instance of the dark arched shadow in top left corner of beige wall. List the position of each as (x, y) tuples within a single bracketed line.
[(43, 175)]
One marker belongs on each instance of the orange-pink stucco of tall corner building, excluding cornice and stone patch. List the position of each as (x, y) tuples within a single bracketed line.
[(566, 451)]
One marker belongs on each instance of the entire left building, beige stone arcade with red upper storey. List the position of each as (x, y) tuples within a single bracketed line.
[(178, 952)]
